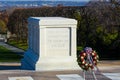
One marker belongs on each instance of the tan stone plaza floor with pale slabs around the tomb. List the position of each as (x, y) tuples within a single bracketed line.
[(109, 70)]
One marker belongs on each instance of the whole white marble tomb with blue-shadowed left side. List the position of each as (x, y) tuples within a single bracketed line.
[(52, 44)]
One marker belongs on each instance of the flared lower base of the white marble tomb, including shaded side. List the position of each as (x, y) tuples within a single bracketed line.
[(33, 62)]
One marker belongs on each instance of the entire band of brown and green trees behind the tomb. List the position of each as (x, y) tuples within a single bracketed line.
[(98, 25)]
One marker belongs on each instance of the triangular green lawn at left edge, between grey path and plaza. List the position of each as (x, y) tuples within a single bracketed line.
[(8, 56)]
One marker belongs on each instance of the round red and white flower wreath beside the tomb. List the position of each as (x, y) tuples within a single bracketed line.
[(88, 59)]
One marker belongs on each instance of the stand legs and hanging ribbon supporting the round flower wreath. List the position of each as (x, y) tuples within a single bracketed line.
[(95, 68)]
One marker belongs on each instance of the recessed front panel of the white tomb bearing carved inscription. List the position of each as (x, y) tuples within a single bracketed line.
[(58, 40)]
